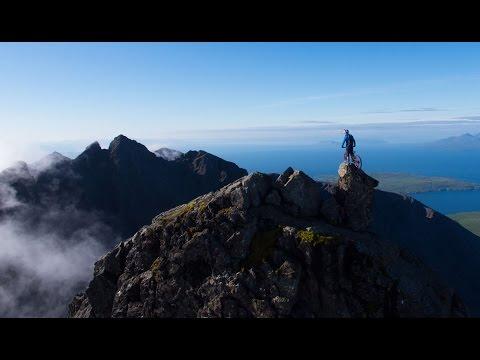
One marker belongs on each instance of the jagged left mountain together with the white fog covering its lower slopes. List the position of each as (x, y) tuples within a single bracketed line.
[(58, 215)]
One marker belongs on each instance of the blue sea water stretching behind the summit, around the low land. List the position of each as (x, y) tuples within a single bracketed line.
[(464, 165)]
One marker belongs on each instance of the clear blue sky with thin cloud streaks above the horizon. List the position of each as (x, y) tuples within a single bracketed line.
[(195, 93)]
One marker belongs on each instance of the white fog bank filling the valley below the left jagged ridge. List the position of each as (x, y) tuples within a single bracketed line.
[(47, 255)]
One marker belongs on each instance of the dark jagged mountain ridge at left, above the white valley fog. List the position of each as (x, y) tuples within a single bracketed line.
[(126, 184)]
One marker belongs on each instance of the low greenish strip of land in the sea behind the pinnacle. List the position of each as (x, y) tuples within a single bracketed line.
[(410, 184)]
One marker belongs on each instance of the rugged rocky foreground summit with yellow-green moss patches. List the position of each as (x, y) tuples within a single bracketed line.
[(263, 247)]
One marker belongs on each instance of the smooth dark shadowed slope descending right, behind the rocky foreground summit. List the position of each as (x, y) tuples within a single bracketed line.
[(444, 245)]
